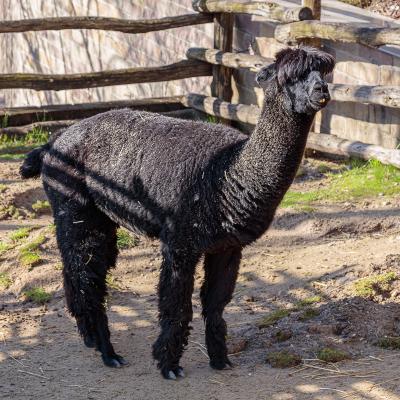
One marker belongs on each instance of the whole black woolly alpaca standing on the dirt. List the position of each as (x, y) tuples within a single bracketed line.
[(202, 189)]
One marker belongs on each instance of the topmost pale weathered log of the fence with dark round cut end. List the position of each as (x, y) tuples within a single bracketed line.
[(265, 9)]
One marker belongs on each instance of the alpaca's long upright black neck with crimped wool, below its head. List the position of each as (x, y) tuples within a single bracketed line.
[(264, 168)]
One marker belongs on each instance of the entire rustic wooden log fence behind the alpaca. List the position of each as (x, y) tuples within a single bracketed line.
[(297, 24)]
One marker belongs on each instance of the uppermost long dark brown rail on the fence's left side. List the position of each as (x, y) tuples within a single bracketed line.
[(103, 23)]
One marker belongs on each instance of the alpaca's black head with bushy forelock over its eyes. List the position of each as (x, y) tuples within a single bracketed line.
[(297, 76)]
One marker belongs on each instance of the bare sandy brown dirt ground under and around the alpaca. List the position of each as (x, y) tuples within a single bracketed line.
[(318, 253)]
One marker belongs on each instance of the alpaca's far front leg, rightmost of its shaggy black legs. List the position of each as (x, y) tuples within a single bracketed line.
[(221, 272)]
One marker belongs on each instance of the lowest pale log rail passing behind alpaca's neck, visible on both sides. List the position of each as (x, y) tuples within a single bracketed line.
[(316, 141)]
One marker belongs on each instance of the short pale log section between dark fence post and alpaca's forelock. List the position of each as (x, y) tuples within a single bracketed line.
[(231, 60)]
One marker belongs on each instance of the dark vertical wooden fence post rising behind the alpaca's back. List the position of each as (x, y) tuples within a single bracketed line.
[(221, 85)]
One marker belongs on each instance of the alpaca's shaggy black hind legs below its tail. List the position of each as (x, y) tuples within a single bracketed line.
[(87, 241)]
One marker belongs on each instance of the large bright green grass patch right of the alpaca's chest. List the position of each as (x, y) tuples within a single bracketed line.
[(362, 180)]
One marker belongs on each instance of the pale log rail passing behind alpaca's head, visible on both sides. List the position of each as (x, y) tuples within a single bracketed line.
[(388, 96)]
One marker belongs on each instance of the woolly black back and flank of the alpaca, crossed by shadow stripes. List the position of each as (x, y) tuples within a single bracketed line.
[(137, 166)]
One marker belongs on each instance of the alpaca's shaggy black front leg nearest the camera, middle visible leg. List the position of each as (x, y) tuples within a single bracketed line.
[(175, 310)]
